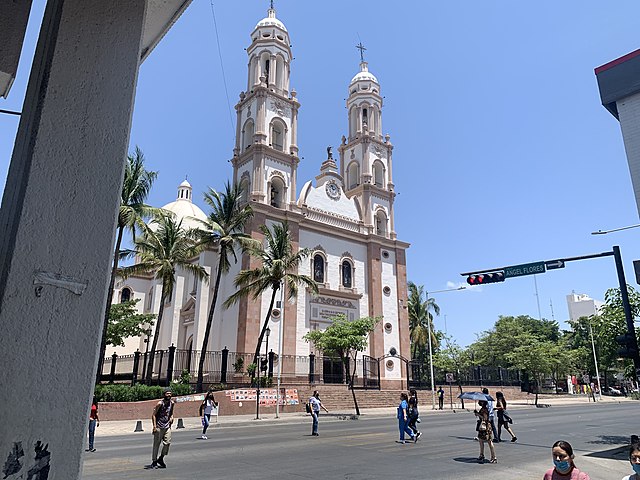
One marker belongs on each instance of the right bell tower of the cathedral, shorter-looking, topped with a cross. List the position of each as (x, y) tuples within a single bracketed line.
[(366, 156)]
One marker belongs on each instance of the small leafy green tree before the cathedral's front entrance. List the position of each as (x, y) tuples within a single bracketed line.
[(344, 339)]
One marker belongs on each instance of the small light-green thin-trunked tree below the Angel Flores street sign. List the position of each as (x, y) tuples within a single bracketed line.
[(533, 356)]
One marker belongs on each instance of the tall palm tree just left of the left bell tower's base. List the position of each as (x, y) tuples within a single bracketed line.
[(223, 227)]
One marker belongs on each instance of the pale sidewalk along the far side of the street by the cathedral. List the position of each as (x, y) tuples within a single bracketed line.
[(124, 427)]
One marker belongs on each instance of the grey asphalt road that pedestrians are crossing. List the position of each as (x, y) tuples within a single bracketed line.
[(366, 448)]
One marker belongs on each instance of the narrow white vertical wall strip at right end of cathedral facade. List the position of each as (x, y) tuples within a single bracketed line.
[(390, 311)]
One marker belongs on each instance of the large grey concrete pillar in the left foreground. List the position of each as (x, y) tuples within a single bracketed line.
[(57, 226)]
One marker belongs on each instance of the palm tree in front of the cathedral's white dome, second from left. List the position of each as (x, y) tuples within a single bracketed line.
[(163, 247)]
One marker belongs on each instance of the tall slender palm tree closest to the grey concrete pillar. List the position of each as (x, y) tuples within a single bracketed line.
[(133, 210)]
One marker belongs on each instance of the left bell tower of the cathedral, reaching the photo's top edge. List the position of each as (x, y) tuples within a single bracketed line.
[(265, 157)]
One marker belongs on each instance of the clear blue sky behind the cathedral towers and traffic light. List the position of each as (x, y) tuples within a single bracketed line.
[(503, 152)]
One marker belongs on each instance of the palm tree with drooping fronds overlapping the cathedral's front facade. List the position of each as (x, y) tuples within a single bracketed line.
[(279, 261)]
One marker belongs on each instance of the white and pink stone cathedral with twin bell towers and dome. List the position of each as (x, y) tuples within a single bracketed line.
[(345, 217)]
